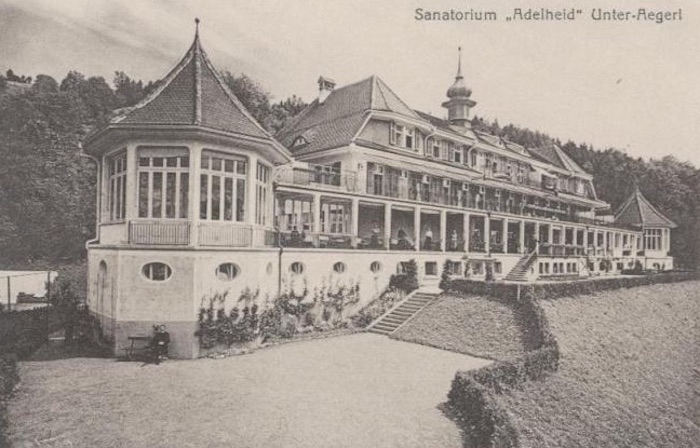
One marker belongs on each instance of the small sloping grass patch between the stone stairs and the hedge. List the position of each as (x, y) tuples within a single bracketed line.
[(473, 325)]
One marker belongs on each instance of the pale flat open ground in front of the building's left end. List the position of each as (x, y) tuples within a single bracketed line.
[(362, 390)]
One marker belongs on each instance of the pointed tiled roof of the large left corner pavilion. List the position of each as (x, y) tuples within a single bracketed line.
[(193, 93)]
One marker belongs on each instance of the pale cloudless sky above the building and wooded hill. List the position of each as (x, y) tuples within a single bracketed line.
[(633, 85)]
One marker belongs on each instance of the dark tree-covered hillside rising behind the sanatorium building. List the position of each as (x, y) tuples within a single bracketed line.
[(47, 187)]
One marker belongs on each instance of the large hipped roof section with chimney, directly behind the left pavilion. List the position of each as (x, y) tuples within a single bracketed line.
[(336, 121)]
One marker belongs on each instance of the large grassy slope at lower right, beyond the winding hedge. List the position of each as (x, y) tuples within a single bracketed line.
[(629, 374)]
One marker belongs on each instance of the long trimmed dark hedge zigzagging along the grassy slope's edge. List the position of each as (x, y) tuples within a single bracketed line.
[(472, 392)]
